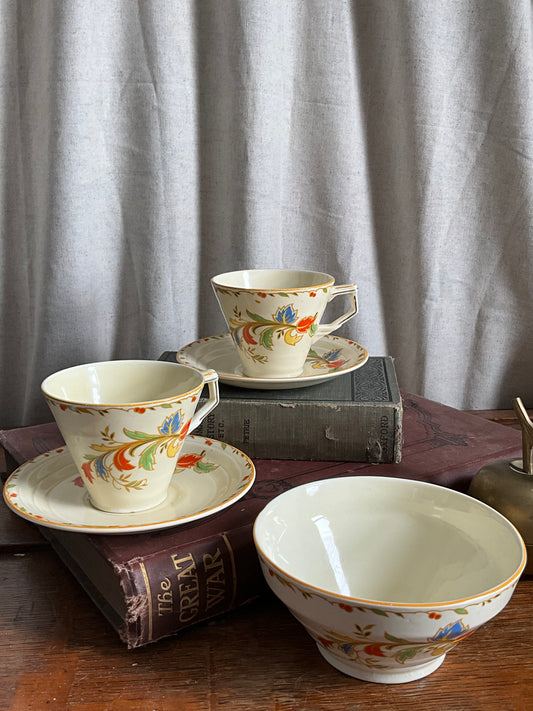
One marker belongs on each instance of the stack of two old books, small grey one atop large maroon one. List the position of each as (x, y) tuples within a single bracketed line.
[(154, 584)]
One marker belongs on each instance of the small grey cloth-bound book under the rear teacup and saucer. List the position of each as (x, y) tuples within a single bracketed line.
[(354, 417)]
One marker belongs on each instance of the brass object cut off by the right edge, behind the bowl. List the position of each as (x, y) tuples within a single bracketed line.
[(507, 485)]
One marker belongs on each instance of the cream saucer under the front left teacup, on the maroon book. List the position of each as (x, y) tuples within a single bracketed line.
[(49, 491)]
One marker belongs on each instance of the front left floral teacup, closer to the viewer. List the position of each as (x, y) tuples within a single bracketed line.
[(124, 423)]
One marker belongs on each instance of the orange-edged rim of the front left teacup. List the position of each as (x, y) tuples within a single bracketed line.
[(129, 404)]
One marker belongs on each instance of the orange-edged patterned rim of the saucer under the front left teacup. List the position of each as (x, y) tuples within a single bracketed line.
[(222, 447)]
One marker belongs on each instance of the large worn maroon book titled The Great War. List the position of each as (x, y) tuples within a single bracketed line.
[(151, 585)]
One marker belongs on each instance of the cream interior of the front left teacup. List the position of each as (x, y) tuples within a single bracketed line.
[(121, 382)]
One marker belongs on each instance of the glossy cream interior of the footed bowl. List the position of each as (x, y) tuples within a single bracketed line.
[(388, 540)]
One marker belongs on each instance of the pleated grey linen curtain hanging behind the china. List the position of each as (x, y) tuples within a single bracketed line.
[(146, 146)]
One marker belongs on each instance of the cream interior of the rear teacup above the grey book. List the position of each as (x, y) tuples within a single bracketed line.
[(268, 279)]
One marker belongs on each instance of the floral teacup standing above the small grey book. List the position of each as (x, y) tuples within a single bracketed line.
[(274, 316)]
